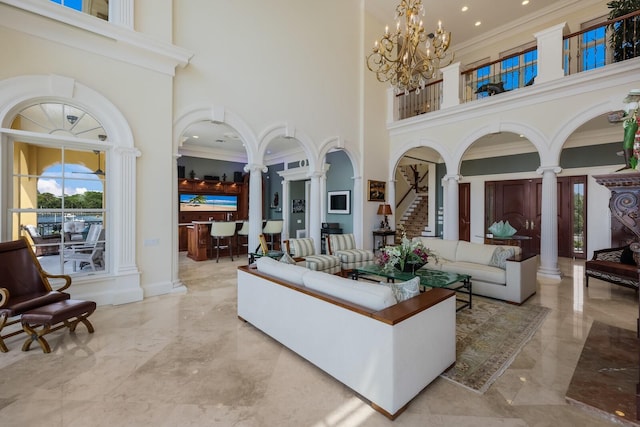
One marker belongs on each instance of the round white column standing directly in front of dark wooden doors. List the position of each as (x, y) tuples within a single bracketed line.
[(549, 222)]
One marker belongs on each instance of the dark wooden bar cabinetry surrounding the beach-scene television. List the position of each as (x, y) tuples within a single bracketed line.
[(204, 187)]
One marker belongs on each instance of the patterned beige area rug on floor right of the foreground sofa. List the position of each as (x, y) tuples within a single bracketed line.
[(488, 338)]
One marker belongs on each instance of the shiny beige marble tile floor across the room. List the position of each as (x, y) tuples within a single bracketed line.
[(187, 360)]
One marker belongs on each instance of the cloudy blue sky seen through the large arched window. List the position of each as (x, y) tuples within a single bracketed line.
[(78, 179)]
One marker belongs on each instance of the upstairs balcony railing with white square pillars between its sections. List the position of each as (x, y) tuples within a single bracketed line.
[(553, 56)]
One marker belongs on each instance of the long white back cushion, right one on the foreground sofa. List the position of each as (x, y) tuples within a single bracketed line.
[(372, 296)]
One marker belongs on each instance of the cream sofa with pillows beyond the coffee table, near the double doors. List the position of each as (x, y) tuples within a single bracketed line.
[(514, 283)]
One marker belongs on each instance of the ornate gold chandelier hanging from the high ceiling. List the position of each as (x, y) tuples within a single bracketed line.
[(408, 60)]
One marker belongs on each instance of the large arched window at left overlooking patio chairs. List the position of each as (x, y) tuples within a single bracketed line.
[(59, 187)]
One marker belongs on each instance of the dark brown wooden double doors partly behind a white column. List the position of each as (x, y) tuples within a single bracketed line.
[(520, 203)]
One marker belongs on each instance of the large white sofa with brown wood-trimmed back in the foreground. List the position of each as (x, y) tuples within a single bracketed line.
[(355, 331)]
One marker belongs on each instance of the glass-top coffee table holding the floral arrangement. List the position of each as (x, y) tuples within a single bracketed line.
[(428, 278)]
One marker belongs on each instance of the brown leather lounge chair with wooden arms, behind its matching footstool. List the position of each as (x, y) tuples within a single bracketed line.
[(24, 286)]
